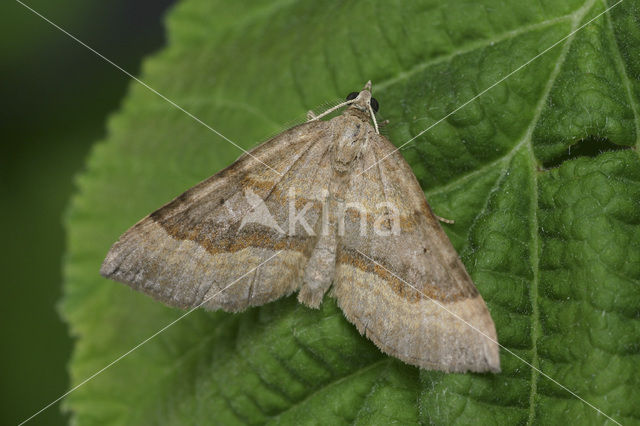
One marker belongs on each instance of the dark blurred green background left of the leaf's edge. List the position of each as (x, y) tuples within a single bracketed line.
[(56, 96)]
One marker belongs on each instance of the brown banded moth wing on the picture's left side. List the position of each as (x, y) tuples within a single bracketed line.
[(222, 230)]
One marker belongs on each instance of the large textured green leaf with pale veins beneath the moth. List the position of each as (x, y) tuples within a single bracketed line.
[(541, 174)]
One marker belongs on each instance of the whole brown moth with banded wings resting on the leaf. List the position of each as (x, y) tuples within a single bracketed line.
[(338, 218)]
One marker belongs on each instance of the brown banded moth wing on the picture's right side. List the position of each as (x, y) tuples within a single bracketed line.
[(442, 321)]
